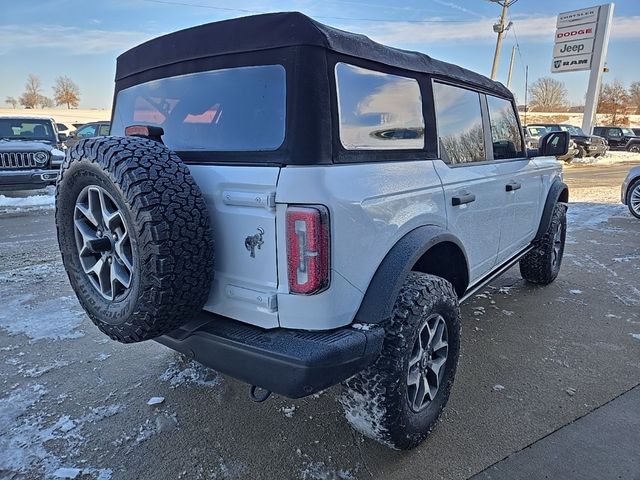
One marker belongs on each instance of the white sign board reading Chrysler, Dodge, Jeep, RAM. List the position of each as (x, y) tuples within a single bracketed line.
[(575, 36)]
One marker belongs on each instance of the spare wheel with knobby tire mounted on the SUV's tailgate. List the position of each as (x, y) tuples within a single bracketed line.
[(134, 234)]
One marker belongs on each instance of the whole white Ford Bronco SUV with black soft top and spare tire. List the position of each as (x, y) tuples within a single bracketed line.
[(352, 195)]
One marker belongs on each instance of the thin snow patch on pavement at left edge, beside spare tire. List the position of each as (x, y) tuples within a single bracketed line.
[(53, 319)]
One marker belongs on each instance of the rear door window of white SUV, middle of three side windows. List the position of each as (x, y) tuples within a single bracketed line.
[(459, 121)]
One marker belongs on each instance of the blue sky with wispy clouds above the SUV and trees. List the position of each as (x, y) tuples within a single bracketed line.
[(82, 39)]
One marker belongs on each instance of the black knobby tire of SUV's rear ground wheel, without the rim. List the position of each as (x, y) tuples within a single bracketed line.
[(375, 401)]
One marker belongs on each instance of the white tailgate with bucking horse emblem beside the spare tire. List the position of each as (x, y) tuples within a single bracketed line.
[(241, 205)]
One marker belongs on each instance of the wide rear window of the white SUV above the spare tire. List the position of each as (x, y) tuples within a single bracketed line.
[(236, 109)]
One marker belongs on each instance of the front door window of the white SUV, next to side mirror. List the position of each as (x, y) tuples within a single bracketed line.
[(505, 132)]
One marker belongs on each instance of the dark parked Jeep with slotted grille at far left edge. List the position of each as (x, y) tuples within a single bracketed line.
[(29, 152)]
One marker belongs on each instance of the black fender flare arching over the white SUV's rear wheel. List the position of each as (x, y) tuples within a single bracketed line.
[(379, 299)]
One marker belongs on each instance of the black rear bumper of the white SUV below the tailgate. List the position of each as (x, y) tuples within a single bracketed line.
[(294, 363)]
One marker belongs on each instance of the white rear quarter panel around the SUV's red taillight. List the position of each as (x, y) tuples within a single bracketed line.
[(371, 206)]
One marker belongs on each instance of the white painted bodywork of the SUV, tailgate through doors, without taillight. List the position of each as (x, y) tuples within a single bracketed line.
[(371, 207)]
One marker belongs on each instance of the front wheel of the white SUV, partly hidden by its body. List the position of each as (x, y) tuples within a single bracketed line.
[(542, 265)]
